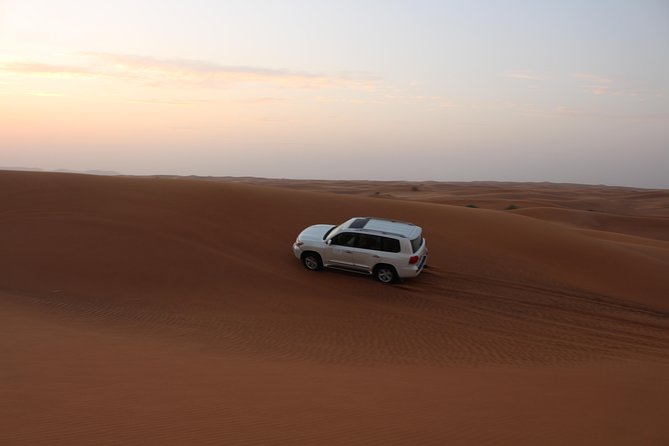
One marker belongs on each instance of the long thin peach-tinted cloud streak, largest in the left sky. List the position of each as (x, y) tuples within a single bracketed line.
[(187, 73)]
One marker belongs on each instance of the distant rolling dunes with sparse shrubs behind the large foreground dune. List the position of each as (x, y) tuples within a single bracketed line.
[(641, 212)]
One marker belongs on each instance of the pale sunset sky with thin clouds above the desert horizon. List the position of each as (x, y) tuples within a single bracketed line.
[(568, 91)]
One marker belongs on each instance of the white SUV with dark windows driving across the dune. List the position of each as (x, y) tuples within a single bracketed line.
[(386, 249)]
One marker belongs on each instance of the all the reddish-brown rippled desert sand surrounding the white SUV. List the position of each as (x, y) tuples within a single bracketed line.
[(172, 311)]
